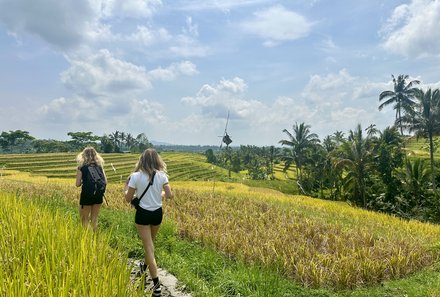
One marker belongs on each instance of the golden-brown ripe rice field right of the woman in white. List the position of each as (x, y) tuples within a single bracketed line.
[(317, 243)]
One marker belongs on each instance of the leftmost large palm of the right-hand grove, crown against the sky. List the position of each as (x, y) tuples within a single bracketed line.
[(300, 141)]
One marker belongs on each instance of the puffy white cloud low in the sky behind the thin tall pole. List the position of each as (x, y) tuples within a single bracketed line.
[(264, 121)]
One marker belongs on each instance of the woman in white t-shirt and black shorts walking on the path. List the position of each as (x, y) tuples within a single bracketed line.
[(150, 168)]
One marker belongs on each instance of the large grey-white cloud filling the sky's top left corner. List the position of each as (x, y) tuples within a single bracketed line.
[(69, 25)]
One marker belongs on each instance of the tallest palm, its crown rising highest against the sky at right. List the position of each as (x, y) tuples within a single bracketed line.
[(401, 96)]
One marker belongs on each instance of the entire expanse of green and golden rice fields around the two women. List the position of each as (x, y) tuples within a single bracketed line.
[(222, 236)]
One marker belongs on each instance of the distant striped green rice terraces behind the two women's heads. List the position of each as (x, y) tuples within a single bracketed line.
[(181, 166)]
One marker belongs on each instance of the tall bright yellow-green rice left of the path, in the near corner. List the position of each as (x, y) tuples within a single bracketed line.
[(50, 255)]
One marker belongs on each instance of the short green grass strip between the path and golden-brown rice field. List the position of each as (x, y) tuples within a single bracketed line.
[(211, 274)]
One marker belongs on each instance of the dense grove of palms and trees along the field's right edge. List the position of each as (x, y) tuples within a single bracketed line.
[(367, 167)]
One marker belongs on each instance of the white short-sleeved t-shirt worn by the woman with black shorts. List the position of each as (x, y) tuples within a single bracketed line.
[(152, 199)]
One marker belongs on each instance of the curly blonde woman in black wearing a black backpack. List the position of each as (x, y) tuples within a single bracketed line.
[(90, 200)]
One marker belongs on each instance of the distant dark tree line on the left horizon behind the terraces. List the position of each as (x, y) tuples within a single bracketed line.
[(20, 141)]
